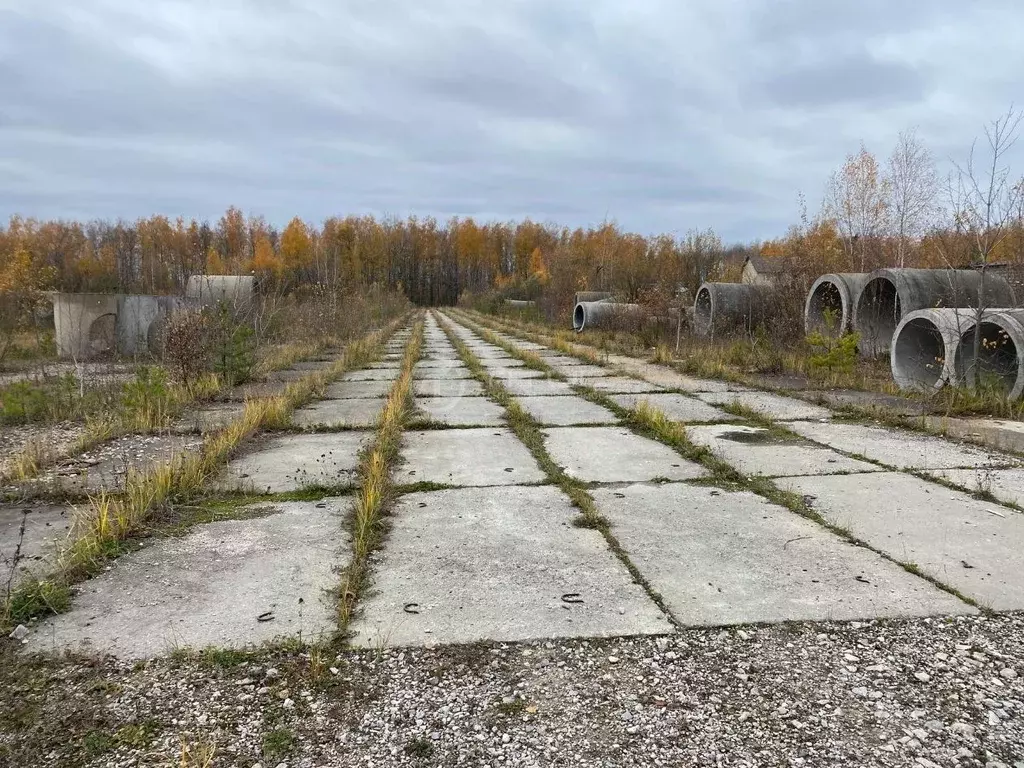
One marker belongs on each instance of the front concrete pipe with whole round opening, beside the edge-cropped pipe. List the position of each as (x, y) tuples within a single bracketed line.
[(924, 346)]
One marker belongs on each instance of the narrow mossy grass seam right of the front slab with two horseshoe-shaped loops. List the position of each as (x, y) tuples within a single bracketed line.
[(530, 434)]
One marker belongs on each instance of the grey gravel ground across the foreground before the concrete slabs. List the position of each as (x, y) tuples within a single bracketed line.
[(922, 693)]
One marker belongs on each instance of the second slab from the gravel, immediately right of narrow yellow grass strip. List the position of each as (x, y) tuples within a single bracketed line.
[(467, 457)]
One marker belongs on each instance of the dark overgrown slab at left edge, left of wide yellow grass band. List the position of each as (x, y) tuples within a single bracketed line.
[(32, 549)]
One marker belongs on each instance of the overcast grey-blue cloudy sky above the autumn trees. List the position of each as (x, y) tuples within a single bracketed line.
[(662, 115)]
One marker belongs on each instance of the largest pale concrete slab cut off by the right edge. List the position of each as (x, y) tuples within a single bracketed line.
[(974, 547)]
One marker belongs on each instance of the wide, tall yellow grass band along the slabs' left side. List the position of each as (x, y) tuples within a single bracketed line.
[(104, 526)]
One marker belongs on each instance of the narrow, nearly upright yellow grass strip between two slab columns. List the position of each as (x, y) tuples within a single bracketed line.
[(377, 490)]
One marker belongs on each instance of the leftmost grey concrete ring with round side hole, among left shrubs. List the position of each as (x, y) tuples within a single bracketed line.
[(84, 324)]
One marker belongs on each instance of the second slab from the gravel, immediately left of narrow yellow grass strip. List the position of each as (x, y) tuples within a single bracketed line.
[(296, 462)]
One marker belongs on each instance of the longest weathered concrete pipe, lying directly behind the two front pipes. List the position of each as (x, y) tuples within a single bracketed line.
[(890, 294)]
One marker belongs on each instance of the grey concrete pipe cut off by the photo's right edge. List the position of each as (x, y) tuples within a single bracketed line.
[(1000, 363)]
